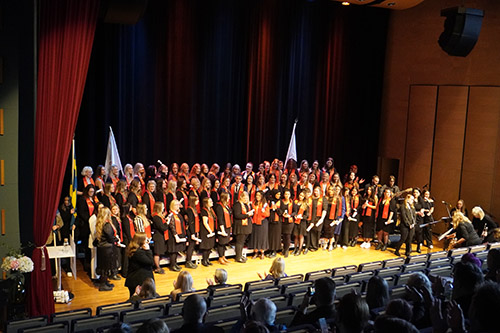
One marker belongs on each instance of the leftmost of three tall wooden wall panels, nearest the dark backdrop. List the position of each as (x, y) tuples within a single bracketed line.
[(419, 136)]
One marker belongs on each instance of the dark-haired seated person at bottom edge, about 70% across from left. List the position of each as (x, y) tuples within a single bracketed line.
[(353, 314)]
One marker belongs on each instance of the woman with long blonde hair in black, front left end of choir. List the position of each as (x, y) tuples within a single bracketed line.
[(106, 253)]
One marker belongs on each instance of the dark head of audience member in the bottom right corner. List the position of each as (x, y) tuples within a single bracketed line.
[(483, 313)]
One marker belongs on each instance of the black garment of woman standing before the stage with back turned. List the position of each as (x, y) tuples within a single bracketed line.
[(140, 268)]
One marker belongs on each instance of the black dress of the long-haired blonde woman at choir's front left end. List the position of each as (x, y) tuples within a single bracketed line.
[(107, 258)]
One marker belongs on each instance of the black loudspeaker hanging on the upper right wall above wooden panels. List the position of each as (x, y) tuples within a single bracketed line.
[(461, 30)]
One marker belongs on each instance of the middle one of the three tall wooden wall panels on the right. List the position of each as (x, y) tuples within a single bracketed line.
[(448, 147)]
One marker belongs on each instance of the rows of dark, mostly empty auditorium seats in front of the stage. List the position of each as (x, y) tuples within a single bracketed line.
[(224, 303)]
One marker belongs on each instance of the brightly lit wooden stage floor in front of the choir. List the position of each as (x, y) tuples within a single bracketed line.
[(88, 296)]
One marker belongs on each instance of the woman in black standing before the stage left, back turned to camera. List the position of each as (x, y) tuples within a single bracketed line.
[(140, 262)]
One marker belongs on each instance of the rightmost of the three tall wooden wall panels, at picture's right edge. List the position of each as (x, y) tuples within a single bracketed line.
[(481, 146)]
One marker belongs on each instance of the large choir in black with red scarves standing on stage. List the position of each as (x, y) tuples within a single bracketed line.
[(183, 210)]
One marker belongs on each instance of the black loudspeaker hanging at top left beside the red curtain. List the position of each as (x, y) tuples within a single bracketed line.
[(123, 11)]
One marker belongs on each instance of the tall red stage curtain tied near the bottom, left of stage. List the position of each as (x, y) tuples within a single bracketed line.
[(66, 35)]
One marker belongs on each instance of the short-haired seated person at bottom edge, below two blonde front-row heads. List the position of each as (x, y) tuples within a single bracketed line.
[(193, 313)]
